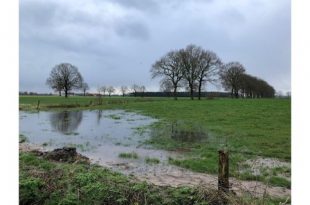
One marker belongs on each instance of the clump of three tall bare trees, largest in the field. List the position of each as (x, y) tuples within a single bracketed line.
[(192, 67)]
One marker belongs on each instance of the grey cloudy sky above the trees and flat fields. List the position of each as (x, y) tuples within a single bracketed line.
[(115, 42)]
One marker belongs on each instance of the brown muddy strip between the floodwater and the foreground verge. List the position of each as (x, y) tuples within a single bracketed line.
[(168, 175)]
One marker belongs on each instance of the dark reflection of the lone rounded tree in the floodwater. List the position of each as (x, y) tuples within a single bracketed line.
[(66, 121)]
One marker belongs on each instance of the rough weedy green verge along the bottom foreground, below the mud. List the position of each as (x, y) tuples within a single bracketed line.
[(49, 182)]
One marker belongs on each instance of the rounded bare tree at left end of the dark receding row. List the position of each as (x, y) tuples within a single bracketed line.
[(231, 76)]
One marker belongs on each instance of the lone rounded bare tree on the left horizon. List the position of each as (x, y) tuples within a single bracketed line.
[(65, 77)]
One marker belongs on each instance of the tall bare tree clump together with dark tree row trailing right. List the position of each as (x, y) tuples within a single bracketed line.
[(193, 67)]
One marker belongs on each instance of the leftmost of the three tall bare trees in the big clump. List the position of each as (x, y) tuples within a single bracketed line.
[(169, 68)]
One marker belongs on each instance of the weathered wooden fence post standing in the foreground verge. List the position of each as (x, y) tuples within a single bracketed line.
[(223, 174)]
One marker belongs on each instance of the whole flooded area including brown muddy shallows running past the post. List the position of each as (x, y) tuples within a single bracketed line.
[(102, 135)]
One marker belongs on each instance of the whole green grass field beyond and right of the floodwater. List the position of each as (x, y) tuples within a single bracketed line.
[(247, 127)]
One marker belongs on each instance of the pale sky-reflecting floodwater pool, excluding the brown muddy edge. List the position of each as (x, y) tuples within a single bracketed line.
[(100, 135)]
